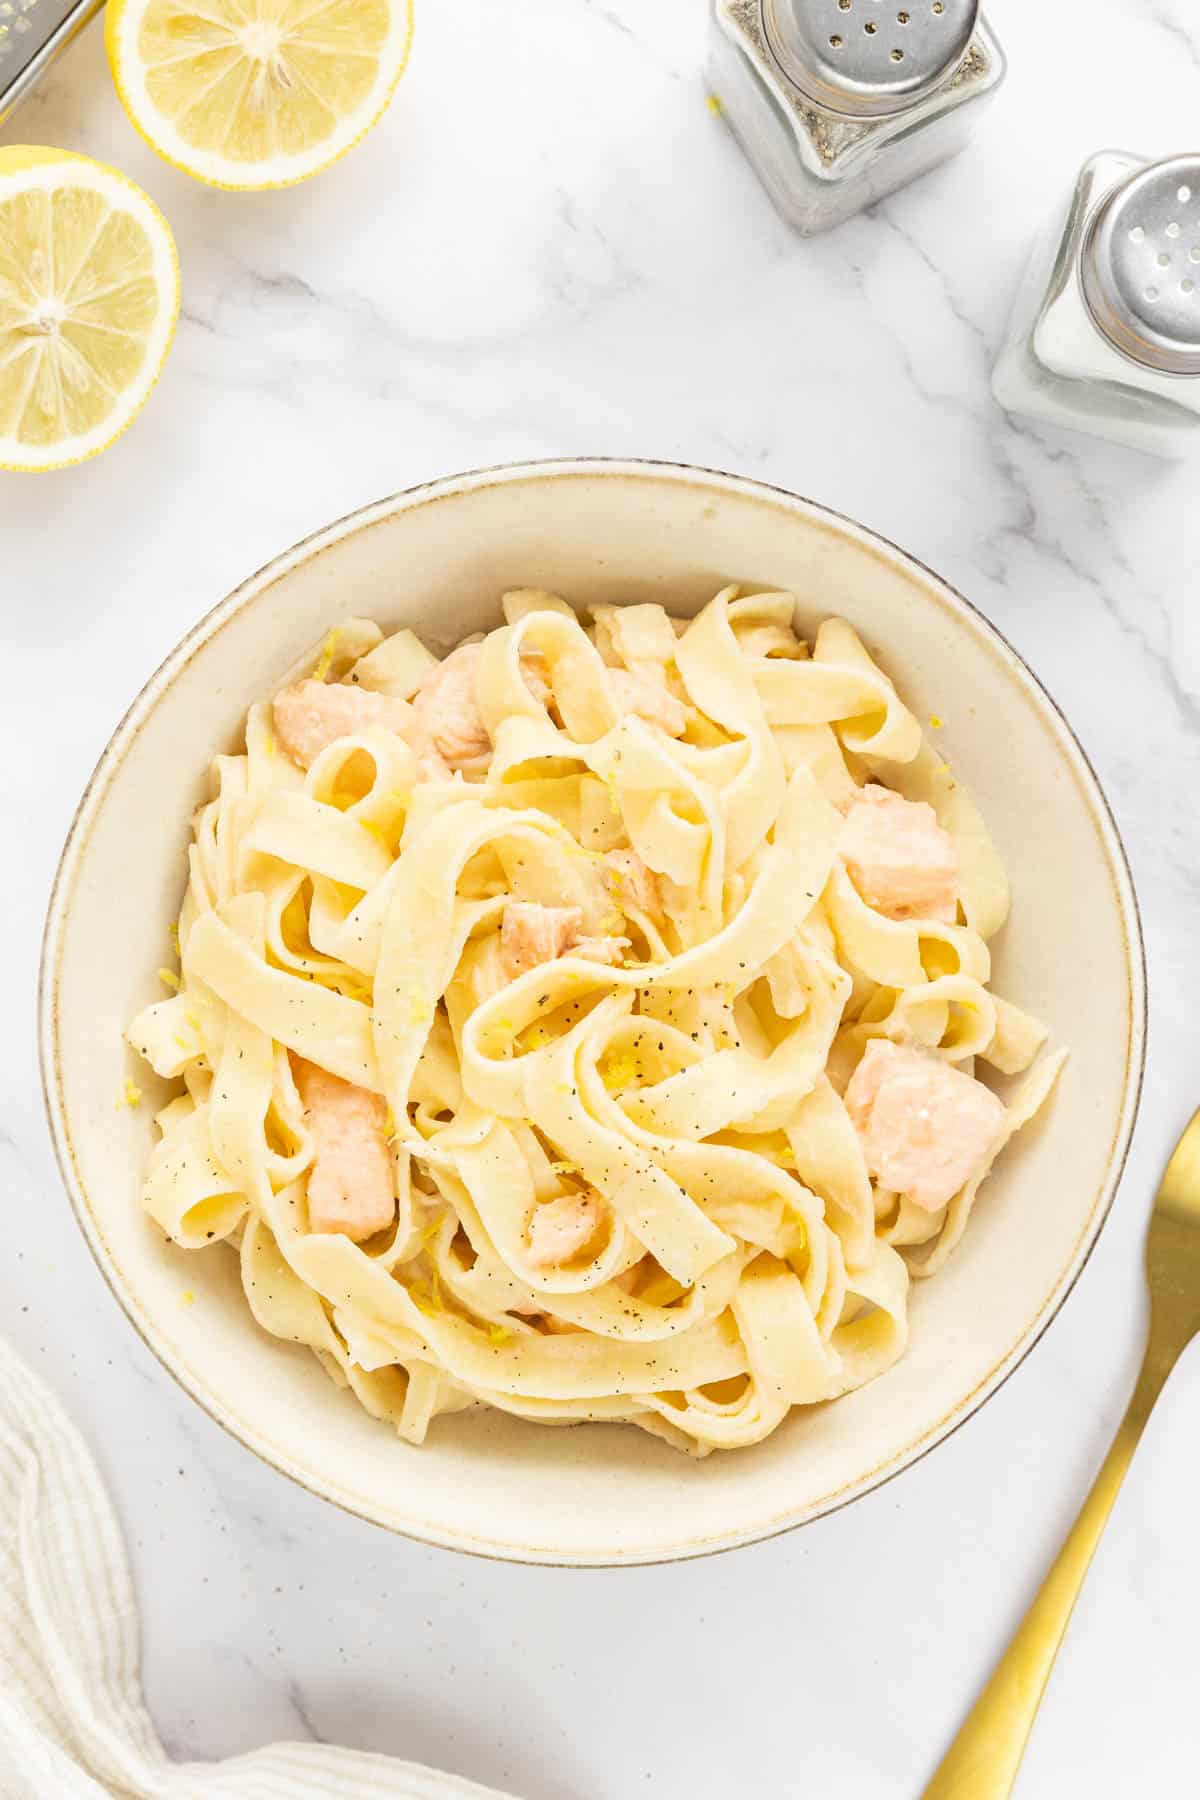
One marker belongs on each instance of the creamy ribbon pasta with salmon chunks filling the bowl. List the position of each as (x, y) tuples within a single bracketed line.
[(587, 1025)]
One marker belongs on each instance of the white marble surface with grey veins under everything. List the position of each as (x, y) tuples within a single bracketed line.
[(553, 247)]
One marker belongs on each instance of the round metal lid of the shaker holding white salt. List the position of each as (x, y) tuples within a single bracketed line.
[(1142, 267)]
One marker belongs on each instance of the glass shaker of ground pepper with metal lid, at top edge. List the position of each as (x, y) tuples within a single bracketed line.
[(841, 102)]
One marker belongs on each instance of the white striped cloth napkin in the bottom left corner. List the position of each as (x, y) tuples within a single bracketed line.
[(73, 1718)]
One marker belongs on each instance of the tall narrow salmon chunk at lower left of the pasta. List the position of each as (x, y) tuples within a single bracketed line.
[(350, 1185)]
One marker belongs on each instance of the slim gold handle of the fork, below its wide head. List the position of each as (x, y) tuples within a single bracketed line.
[(985, 1758)]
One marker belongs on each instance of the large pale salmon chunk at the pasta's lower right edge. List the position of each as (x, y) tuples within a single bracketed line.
[(926, 1128)]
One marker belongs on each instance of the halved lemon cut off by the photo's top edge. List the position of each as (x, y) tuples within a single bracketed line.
[(256, 93)]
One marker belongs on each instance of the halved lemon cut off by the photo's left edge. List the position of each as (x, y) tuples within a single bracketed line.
[(89, 298)]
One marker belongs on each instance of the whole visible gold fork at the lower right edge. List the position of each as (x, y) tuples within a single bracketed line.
[(987, 1754)]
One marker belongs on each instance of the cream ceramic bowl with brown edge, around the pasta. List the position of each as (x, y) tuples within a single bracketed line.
[(438, 559)]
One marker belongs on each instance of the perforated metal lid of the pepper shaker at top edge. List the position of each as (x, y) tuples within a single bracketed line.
[(868, 58)]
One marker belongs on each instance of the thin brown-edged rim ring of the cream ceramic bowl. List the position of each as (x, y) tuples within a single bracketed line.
[(309, 550)]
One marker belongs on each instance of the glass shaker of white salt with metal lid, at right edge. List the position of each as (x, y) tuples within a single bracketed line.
[(1106, 334)]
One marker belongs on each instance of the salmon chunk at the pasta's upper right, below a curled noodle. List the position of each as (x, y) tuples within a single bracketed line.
[(899, 858)]
